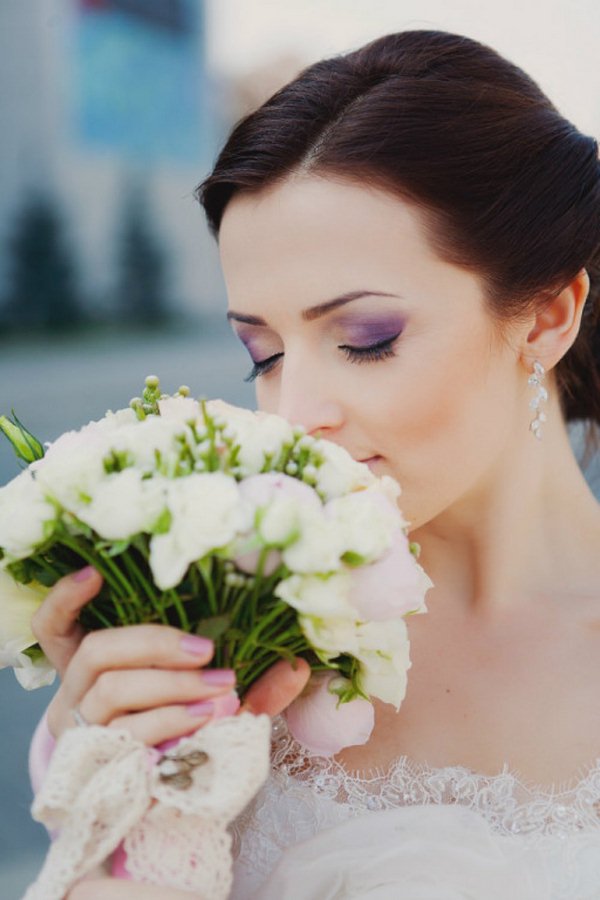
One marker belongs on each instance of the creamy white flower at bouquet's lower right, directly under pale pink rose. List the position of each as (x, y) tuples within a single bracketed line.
[(383, 651)]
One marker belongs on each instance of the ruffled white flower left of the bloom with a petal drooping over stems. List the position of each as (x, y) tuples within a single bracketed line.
[(124, 504)]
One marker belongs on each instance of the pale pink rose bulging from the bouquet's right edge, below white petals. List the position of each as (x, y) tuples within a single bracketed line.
[(393, 586)]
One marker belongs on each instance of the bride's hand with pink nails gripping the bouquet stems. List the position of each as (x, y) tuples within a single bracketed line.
[(146, 678)]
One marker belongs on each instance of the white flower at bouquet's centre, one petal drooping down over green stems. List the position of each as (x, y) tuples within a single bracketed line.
[(207, 513)]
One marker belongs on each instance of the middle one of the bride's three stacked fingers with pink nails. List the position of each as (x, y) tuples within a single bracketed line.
[(117, 692)]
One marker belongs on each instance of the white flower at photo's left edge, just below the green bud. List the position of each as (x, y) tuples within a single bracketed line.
[(24, 513)]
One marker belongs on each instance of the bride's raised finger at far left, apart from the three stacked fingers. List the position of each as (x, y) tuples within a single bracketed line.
[(55, 623)]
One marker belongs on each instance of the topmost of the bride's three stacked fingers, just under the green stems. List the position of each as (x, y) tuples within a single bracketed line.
[(133, 647)]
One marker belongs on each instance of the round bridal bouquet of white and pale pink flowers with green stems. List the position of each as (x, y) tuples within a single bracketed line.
[(225, 523)]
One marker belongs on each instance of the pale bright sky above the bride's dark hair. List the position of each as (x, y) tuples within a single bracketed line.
[(555, 41)]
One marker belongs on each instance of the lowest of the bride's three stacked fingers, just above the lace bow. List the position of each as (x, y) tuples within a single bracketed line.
[(155, 726)]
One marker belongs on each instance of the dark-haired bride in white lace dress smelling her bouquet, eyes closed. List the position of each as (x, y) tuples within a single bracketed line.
[(410, 237)]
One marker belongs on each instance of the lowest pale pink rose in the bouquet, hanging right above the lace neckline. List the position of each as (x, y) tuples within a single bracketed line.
[(319, 724)]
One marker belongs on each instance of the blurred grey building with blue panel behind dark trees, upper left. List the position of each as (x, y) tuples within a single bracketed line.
[(104, 106)]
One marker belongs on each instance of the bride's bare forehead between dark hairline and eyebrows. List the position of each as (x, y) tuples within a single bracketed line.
[(316, 237)]
